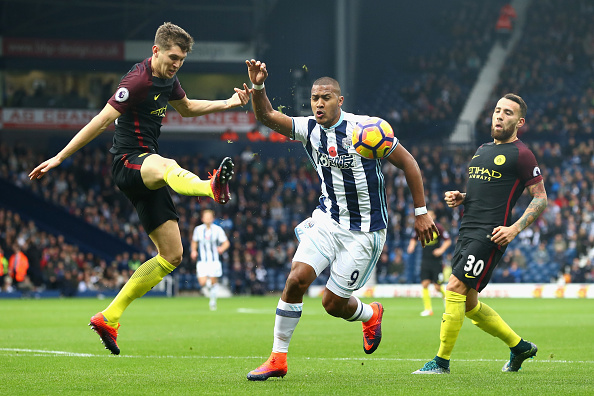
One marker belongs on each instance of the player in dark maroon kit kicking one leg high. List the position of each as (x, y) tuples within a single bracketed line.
[(137, 107)]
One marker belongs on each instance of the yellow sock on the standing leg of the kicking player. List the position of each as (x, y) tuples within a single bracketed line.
[(150, 273)]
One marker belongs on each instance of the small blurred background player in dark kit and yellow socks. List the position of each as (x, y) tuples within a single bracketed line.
[(431, 263)]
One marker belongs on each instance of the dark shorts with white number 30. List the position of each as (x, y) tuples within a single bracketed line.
[(474, 261)]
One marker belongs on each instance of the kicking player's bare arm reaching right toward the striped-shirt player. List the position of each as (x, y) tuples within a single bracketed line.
[(195, 107)]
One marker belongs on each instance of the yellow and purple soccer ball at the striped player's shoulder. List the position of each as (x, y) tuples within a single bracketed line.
[(373, 138)]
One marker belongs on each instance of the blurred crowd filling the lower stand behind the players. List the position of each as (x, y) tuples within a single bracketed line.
[(270, 197)]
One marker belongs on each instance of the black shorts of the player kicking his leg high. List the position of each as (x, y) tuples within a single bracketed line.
[(154, 207)]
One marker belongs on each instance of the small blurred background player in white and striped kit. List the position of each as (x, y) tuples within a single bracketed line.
[(209, 242)]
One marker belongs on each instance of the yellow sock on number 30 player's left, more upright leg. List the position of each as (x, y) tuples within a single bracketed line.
[(451, 323)]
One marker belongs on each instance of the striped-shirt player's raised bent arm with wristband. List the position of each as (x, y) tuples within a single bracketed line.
[(263, 110)]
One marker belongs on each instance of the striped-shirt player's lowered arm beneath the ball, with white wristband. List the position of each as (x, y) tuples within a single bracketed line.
[(424, 225)]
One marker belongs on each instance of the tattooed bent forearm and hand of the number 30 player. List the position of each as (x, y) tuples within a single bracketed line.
[(504, 235)]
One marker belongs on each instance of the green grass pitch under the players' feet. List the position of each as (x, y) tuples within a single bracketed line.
[(177, 346)]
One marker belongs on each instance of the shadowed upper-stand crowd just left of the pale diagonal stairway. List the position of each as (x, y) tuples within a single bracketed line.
[(424, 96)]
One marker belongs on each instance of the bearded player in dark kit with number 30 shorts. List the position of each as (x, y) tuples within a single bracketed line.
[(498, 173)]
